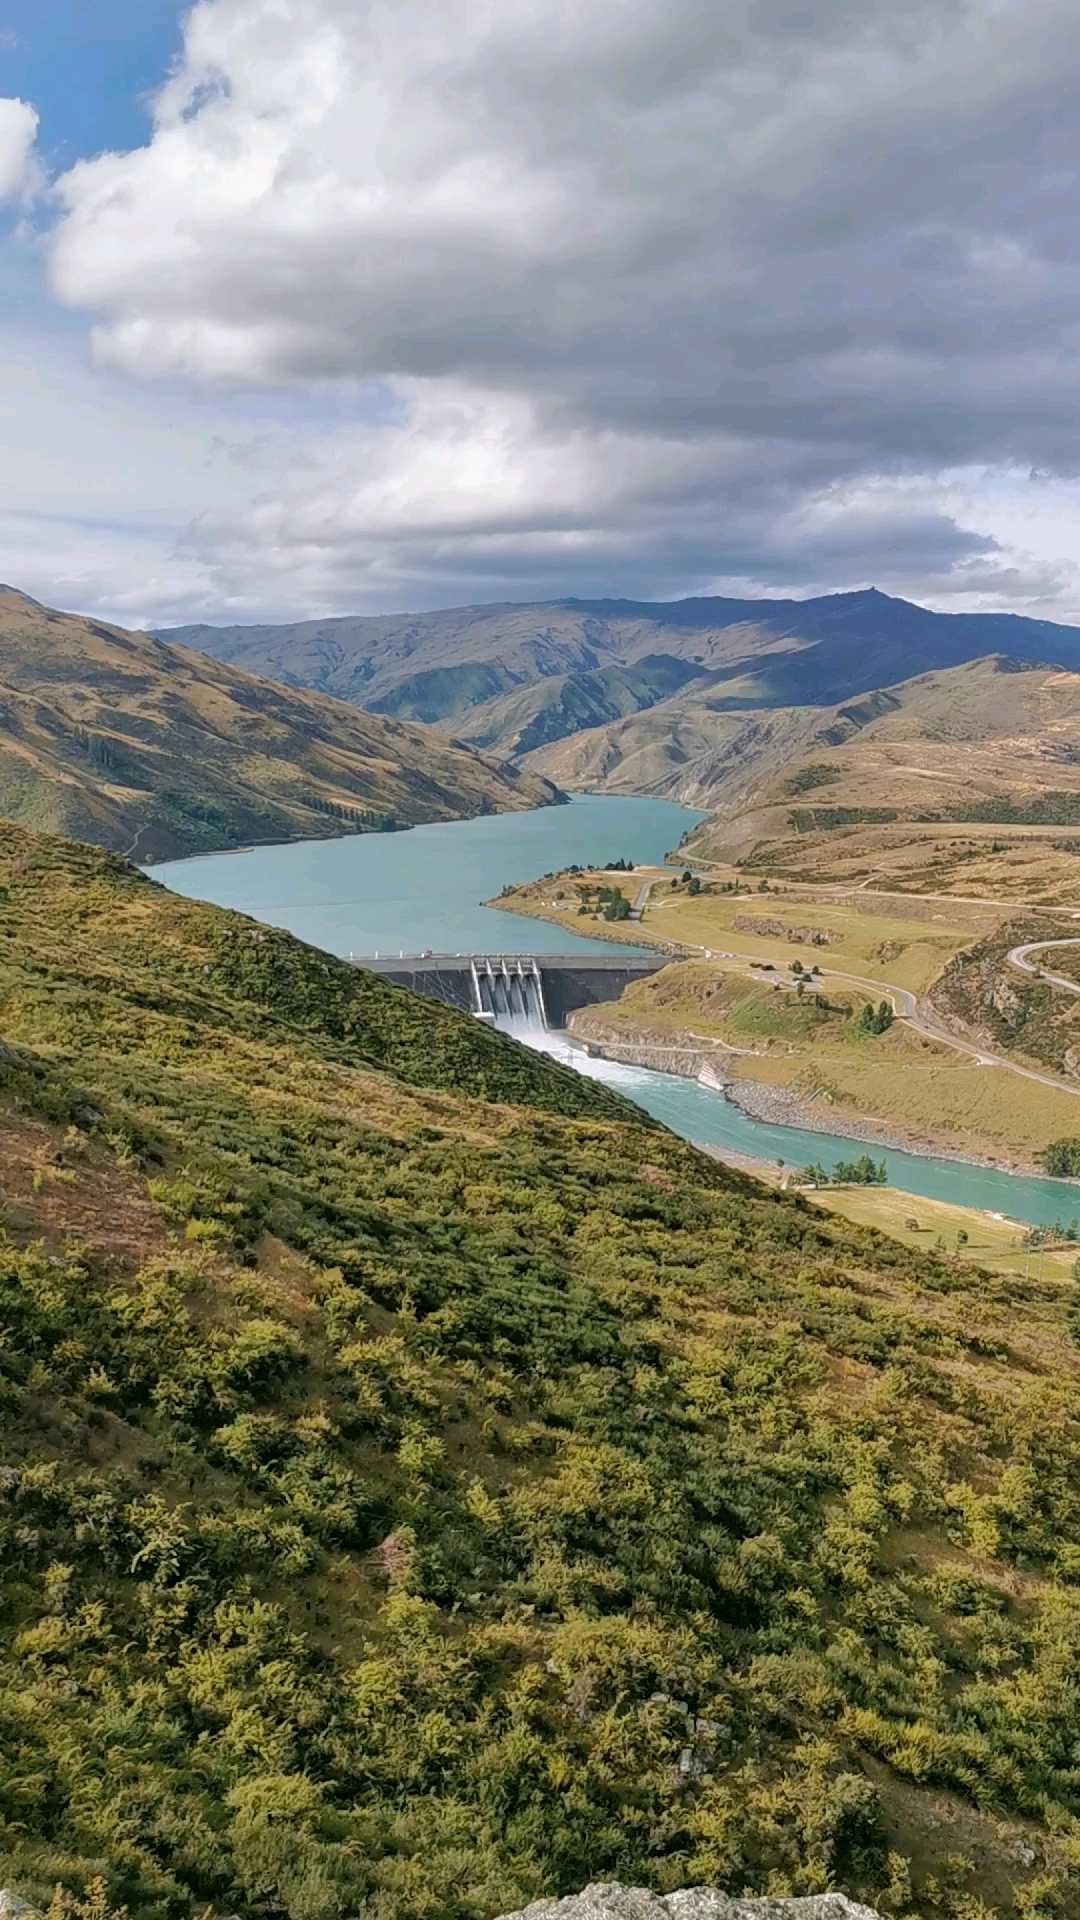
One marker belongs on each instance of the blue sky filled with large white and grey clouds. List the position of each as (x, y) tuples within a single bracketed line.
[(358, 306)]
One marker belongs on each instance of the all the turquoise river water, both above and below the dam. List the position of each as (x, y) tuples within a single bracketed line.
[(381, 894)]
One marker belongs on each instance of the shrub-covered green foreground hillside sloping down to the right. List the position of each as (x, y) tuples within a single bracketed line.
[(426, 1487)]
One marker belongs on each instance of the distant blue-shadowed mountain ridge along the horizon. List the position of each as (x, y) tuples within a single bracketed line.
[(518, 677)]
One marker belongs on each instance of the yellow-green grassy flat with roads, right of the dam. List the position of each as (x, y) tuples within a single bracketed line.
[(768, 996)]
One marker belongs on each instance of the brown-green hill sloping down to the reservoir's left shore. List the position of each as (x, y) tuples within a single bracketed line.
[(139, 746)]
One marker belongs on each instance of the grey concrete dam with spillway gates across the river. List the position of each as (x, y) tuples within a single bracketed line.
[(531, 990)]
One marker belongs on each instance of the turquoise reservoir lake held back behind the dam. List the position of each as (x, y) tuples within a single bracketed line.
[(378, 894)]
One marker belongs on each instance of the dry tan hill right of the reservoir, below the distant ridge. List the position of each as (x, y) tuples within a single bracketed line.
[(964, 780)]
